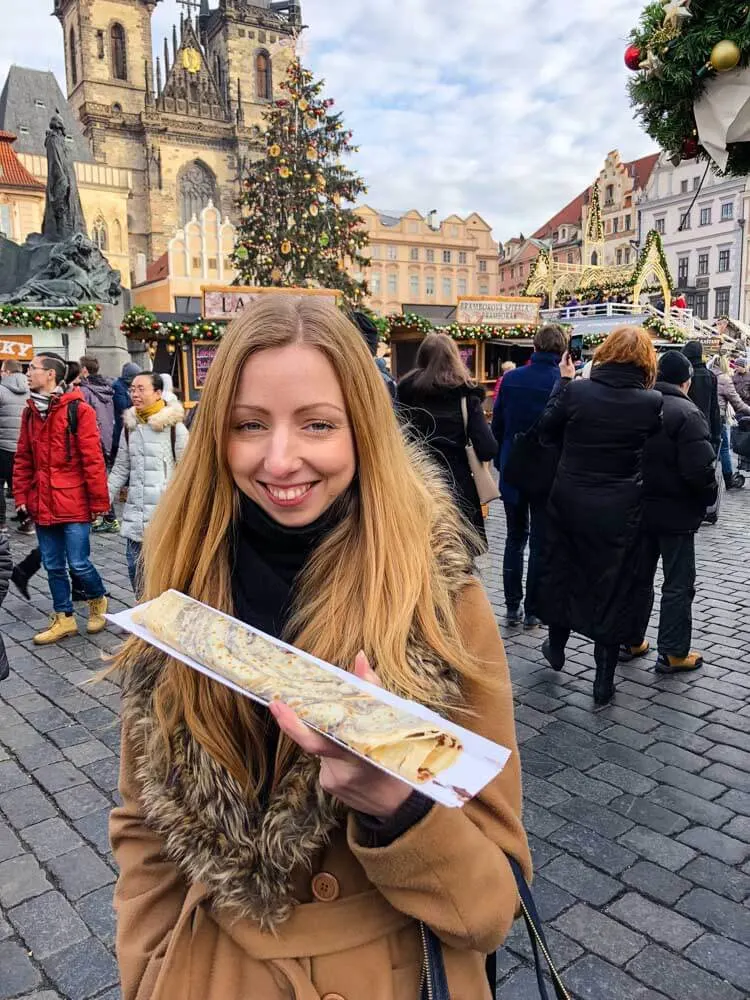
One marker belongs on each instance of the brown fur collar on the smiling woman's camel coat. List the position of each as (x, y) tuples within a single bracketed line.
[(247, 860)]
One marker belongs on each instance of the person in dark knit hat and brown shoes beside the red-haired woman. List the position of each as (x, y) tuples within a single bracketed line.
[(679, 483)]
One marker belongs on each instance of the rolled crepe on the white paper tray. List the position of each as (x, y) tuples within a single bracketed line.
[(389, 736)]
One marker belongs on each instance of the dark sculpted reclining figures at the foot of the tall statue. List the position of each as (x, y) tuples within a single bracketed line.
[(76, 272)]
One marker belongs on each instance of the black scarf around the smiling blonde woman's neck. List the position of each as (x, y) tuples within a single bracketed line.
[(268, 558)]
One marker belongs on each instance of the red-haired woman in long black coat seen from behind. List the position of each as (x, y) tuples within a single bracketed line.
[(595, 577)]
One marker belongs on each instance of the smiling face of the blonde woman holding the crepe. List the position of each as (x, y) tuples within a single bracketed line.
[(291, 448)]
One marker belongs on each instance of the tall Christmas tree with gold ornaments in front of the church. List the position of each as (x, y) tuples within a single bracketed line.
[(298, 227)]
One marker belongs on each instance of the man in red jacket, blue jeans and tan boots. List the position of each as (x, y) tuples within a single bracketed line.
[(60, 481)]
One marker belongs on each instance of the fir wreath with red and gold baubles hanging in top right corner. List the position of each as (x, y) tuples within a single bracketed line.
[(693, 84)]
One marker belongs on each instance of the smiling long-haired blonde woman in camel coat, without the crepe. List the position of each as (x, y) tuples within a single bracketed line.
[(300, 509)]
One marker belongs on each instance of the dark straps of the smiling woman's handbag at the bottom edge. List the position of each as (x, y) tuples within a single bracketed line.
[(434, 983)]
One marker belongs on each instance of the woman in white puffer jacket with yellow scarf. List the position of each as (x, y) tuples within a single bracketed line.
[(153, 440)]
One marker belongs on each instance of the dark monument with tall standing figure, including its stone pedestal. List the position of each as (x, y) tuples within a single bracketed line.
[(62, 267)]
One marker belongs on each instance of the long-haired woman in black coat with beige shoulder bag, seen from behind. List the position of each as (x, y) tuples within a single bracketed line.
[(433, 398)]
